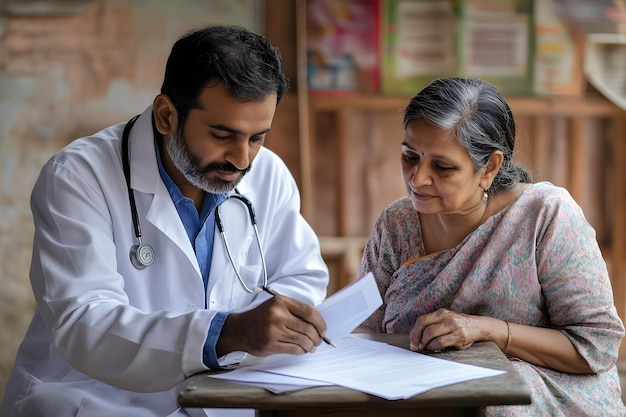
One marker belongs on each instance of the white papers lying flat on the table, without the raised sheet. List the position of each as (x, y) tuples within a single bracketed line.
[(375, 368)]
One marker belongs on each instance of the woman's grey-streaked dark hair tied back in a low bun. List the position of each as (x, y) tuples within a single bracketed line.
[(480, 119)]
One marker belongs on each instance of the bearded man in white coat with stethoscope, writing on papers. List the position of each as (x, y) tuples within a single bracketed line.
[(135, 286)]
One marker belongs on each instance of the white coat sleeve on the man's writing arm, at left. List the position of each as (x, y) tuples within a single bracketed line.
[(81, 295)]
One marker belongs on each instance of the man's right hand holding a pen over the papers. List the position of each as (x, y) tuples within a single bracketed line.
[(279, 325)]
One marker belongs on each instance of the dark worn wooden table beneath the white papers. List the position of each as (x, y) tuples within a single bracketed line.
[(463, 399)]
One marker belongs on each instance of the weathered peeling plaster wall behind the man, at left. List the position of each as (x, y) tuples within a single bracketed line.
[(67, 69)]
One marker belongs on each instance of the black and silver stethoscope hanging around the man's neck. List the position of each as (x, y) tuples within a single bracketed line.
[(142, 254)]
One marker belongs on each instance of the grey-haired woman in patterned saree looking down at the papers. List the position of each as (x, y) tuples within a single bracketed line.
[(478, 252)]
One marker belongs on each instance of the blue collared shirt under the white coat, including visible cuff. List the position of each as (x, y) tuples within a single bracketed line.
[(200, 228)]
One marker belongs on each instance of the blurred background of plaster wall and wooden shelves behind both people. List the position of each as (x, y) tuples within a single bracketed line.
[(68, 68)]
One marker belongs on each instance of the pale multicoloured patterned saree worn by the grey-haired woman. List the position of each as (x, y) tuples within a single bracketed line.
[(536, 262)]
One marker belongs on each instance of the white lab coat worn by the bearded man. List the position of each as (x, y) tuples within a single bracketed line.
[(110, 340)]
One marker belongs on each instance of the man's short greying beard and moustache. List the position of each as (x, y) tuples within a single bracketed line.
[(189, 165)]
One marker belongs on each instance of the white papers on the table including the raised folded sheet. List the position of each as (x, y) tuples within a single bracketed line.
[(356, 363)]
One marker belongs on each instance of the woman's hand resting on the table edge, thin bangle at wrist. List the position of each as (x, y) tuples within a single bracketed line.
[(445, 328)]
